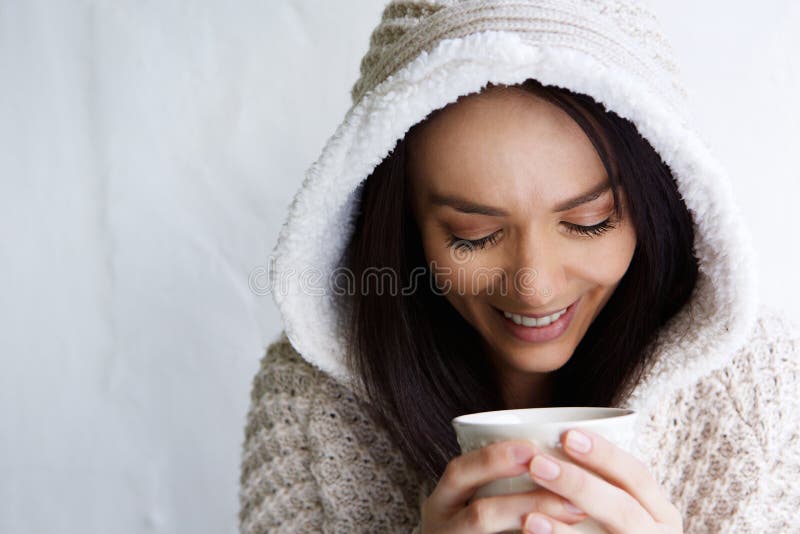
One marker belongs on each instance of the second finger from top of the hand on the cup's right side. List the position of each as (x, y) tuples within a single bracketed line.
[(605, 502)]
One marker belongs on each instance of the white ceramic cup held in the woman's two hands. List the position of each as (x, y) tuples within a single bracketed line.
[(543, 427)]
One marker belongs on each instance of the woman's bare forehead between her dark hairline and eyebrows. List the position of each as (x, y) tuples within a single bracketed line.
[(507, 138)]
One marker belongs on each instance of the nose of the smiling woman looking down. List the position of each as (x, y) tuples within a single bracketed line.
[(537, 278)]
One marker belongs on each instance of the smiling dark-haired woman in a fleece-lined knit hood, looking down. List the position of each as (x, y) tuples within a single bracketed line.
[(516, 212)]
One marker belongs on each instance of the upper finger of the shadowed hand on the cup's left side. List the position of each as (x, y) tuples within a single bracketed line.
[(466, 473)]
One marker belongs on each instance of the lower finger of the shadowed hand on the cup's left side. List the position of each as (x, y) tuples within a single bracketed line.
[(506, 512)]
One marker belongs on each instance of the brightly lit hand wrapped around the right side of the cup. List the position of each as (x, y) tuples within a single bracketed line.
[(612, 486)]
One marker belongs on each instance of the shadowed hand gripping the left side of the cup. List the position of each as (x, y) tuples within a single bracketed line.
[(446, 509)]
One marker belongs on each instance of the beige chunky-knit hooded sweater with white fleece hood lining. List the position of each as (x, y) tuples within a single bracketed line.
[(717, 413)]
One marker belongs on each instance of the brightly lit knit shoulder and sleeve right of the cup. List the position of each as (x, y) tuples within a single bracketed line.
[(728, 446)]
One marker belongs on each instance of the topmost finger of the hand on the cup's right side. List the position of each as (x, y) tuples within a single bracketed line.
[(621, 469)]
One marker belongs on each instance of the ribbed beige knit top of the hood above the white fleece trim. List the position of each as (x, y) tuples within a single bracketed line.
[(608, 30)]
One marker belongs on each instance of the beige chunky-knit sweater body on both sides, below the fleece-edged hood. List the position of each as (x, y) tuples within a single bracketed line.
[(724, 448)]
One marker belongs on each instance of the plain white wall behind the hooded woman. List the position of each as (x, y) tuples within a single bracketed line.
[(148, 154)]
